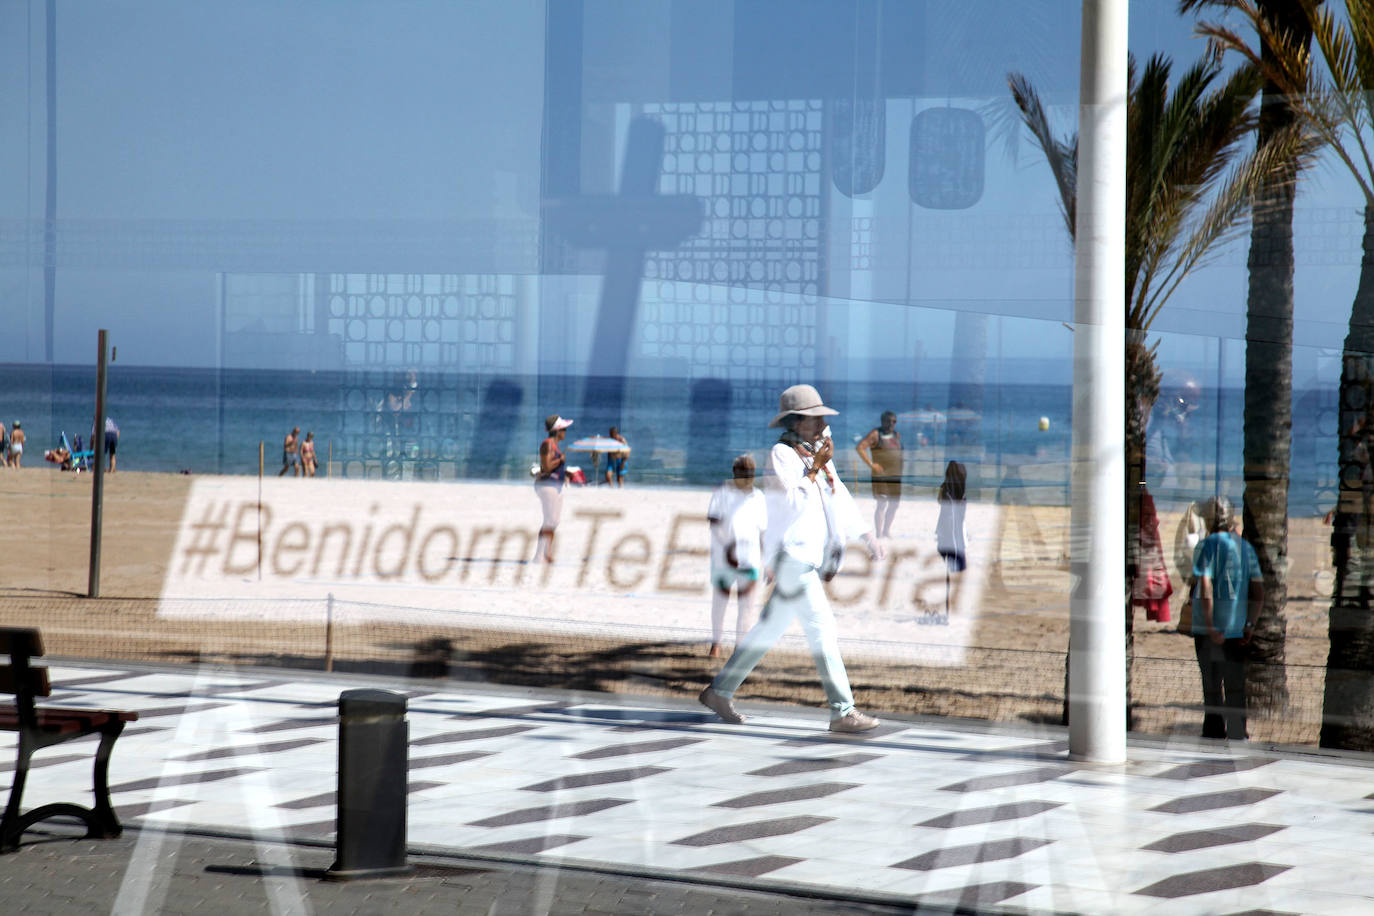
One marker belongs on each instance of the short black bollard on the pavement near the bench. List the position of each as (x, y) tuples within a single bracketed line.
[(372, 797)]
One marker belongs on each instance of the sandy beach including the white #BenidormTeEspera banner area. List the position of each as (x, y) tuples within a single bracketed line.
[(431, 580)]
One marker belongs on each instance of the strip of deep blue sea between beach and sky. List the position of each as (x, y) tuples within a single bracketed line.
[(1016, 439)]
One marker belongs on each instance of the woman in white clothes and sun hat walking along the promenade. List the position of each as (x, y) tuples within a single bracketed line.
[(811, 517)]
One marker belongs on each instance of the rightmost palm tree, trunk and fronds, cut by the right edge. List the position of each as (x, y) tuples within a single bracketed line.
[(1338, 102)]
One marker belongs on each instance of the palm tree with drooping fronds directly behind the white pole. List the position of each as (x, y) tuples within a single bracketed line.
[(1188, 190)]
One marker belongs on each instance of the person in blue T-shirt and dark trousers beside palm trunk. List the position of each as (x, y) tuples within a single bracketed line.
[(1228, 597)]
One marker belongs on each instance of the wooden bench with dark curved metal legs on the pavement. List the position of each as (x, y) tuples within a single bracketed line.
[(39, 727)]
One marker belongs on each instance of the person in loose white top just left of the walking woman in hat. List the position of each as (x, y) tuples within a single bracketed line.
[(739, 516)]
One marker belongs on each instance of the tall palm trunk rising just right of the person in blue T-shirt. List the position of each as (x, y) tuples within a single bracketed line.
[(1269, 374)]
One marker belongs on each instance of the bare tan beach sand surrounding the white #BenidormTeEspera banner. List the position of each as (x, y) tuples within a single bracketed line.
[(1012, 664)]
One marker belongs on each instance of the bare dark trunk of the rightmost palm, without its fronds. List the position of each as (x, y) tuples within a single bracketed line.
[(1349, 701)]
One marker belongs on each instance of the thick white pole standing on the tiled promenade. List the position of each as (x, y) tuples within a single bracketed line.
[(1097, 638)]
